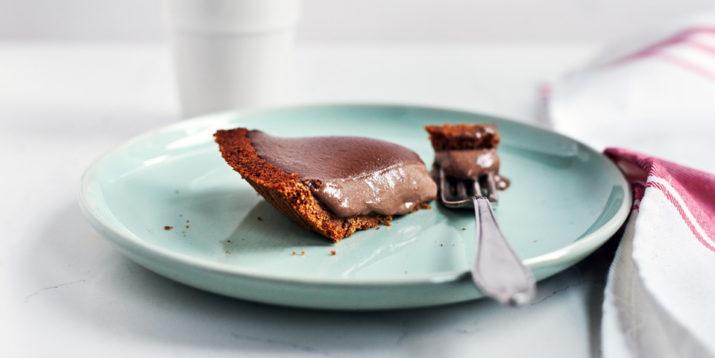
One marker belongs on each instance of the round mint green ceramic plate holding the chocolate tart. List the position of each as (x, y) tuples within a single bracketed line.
[(564, 202)]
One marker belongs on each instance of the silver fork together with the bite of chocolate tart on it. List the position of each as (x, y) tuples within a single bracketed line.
[(467, 165)]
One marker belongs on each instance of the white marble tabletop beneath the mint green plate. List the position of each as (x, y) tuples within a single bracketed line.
[(65, 291)]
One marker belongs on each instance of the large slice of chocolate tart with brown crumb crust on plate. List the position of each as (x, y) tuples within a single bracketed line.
[(331, 185)]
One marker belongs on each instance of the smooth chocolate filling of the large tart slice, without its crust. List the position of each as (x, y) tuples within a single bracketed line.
[(352, 175)]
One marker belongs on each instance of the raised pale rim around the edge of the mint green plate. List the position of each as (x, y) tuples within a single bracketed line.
[(562, 255)]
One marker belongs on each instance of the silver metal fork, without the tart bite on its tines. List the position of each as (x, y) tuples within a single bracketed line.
[(497, 270)]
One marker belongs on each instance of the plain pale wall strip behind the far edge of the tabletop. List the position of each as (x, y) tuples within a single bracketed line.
[(363, 20)]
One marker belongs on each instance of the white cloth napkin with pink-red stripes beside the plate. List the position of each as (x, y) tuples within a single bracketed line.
[(655, 95)]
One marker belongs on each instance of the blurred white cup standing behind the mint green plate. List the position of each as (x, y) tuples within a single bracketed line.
[(231, 54)]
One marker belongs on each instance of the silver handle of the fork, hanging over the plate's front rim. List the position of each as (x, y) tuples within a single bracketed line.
[(497, 270)]
